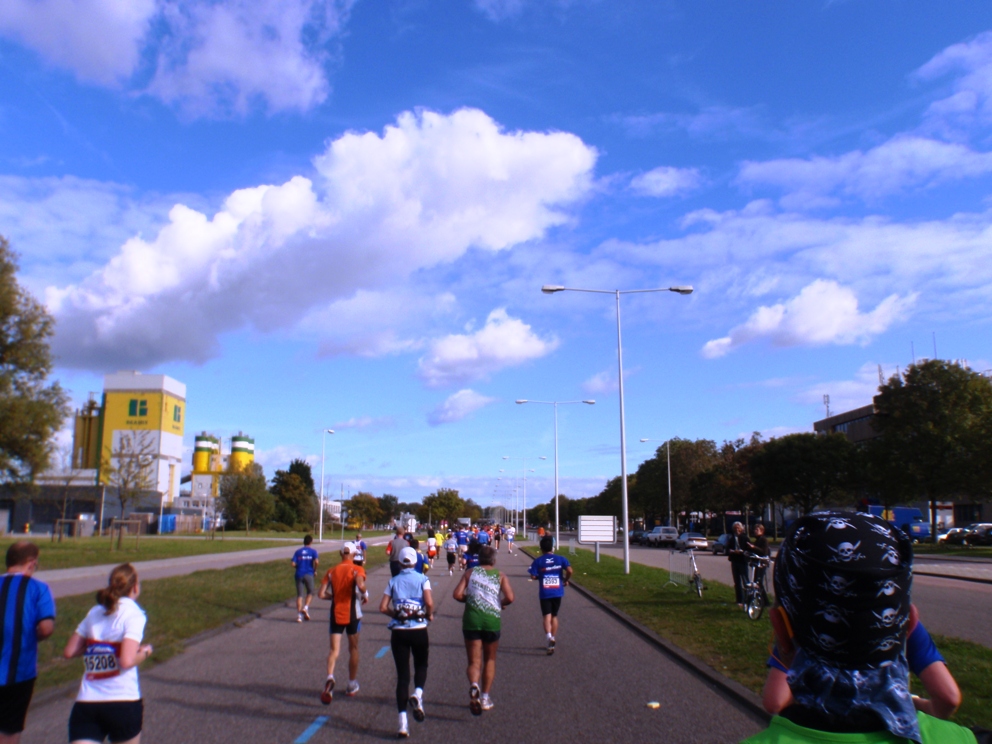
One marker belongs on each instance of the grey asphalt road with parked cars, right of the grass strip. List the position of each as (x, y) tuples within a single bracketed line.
[(959, 609)]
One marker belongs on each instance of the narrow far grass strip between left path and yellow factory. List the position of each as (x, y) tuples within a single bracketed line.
[(95, 551)]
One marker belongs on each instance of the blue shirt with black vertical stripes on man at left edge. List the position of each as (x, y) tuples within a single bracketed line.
[(24, 602)]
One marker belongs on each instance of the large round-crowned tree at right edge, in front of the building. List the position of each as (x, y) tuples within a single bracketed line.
[(936, 422)]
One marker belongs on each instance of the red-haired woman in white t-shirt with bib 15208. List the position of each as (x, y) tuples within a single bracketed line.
[(109, 640)]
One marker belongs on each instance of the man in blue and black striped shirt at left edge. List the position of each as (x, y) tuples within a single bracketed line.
[(27, 615)]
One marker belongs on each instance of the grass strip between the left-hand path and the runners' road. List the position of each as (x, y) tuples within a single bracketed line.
[(179, 608)]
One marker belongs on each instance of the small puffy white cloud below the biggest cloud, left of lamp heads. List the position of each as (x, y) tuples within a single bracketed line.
[(502, 342)]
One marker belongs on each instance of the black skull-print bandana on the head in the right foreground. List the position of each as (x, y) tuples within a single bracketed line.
[(844, 578)]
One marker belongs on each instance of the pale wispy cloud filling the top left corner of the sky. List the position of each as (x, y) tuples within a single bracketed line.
[(207, 57)]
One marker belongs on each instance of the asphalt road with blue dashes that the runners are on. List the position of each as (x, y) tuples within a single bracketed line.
[(261, 682)]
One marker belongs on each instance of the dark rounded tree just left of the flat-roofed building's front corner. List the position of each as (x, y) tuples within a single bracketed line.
[(804, 469)]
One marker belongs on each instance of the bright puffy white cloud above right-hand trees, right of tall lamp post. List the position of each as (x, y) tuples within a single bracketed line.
[(822, 313)]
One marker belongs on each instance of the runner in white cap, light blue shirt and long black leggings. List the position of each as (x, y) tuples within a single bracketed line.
[(412, 608)]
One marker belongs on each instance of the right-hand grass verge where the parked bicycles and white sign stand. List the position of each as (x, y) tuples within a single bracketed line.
[(716, 631)]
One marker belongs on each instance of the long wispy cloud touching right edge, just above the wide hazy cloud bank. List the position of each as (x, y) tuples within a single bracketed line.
[(902, 163)]
